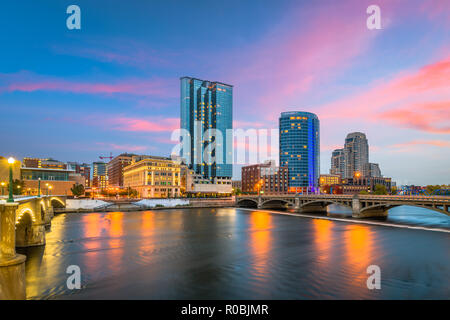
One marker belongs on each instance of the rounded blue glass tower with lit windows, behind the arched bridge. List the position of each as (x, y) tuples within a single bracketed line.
[(300, 149)]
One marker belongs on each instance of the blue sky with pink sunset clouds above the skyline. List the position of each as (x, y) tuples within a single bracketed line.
[(113, 85)]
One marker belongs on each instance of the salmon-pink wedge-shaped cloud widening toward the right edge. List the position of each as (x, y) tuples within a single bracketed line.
[(418, 99)]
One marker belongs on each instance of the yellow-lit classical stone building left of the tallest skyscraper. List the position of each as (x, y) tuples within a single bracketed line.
[(153, 177)]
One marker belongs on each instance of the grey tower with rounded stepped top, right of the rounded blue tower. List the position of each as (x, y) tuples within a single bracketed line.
[(356, 155)]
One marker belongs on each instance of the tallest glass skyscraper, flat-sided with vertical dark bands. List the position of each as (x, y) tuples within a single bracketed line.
[(205, 106)]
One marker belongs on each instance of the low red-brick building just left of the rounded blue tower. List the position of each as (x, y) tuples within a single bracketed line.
[(265, 178)]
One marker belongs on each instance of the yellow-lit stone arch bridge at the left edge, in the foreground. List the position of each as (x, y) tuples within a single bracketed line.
[(22, 224)]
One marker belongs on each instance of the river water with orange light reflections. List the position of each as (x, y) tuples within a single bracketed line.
[(232, 253)]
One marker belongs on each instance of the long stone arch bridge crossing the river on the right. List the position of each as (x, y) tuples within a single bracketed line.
[(362, 206)]
